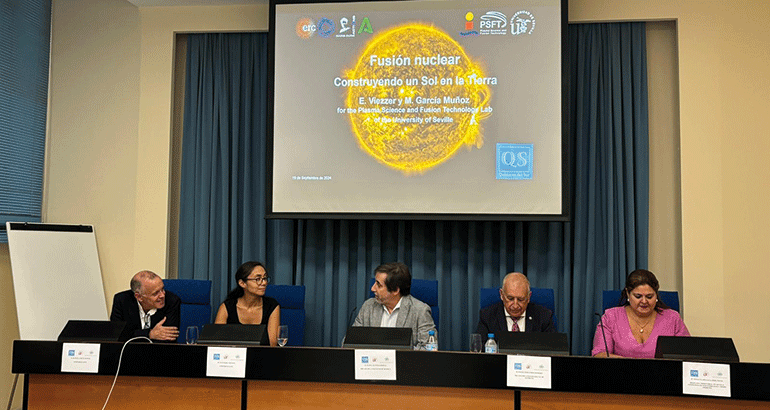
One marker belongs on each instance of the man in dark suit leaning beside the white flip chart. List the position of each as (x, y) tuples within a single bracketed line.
[(147, 308)]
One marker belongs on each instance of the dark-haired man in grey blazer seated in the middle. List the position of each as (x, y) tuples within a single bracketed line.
[(393, 306)]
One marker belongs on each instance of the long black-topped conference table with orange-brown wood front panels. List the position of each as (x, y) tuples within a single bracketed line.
[(173, 376)]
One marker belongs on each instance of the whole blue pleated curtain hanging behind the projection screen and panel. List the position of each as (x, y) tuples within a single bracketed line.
[(221, 221)]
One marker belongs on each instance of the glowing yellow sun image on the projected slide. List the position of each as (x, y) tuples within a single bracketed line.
[(432, 121)]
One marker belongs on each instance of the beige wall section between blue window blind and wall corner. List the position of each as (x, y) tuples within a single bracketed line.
[(91, 170)]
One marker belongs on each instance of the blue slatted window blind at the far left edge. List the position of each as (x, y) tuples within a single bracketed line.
[(25, 42)]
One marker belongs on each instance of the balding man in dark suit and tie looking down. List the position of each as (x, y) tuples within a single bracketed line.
[(514, 312)]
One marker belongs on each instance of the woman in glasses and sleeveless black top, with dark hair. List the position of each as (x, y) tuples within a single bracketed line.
[(247, 303)]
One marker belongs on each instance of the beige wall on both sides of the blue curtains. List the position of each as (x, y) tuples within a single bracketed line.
[(110, 132)]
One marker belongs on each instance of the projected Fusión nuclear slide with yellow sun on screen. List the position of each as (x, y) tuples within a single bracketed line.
[(417, 108)]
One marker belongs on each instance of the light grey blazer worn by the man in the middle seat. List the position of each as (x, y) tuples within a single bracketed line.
[(412, 313)]
